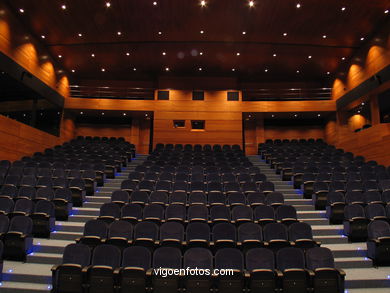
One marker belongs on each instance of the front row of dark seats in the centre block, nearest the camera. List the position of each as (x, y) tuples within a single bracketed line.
[(136, 268)]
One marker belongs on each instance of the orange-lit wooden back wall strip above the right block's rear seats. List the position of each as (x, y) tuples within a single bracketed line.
[(291, 132)]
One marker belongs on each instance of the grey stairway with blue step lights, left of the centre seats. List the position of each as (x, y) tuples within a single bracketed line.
[(35, 275)]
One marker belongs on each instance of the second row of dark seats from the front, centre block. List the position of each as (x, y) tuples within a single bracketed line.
[(197, 234)]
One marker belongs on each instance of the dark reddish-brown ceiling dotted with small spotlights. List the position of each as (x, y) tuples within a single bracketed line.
[(320, 34)]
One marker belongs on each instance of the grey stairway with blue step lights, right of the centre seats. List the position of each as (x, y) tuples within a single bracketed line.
[(351, 257)]
